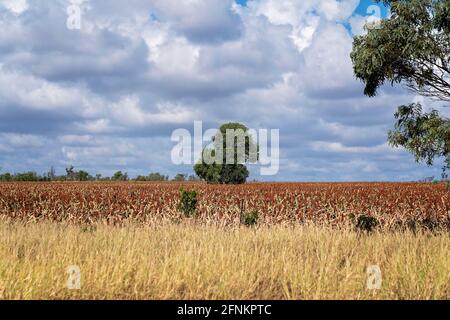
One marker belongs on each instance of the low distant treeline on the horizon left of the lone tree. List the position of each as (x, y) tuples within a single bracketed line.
[(81, 175)]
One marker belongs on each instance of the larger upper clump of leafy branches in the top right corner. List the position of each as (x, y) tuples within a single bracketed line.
[(410, 47)]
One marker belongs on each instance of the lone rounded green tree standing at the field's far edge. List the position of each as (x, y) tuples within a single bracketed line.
[(224, 160)]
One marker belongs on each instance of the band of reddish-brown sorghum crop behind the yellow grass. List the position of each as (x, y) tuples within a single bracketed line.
[(394, 205)]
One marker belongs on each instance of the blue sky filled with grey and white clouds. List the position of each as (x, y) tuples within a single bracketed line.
[(107, 96)]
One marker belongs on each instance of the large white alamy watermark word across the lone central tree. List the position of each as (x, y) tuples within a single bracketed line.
[(235, 147)]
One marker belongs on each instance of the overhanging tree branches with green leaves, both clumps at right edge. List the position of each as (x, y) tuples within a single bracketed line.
[(411, 47)]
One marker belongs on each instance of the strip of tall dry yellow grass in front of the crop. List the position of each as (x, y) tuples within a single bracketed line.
[(201, 262)]
